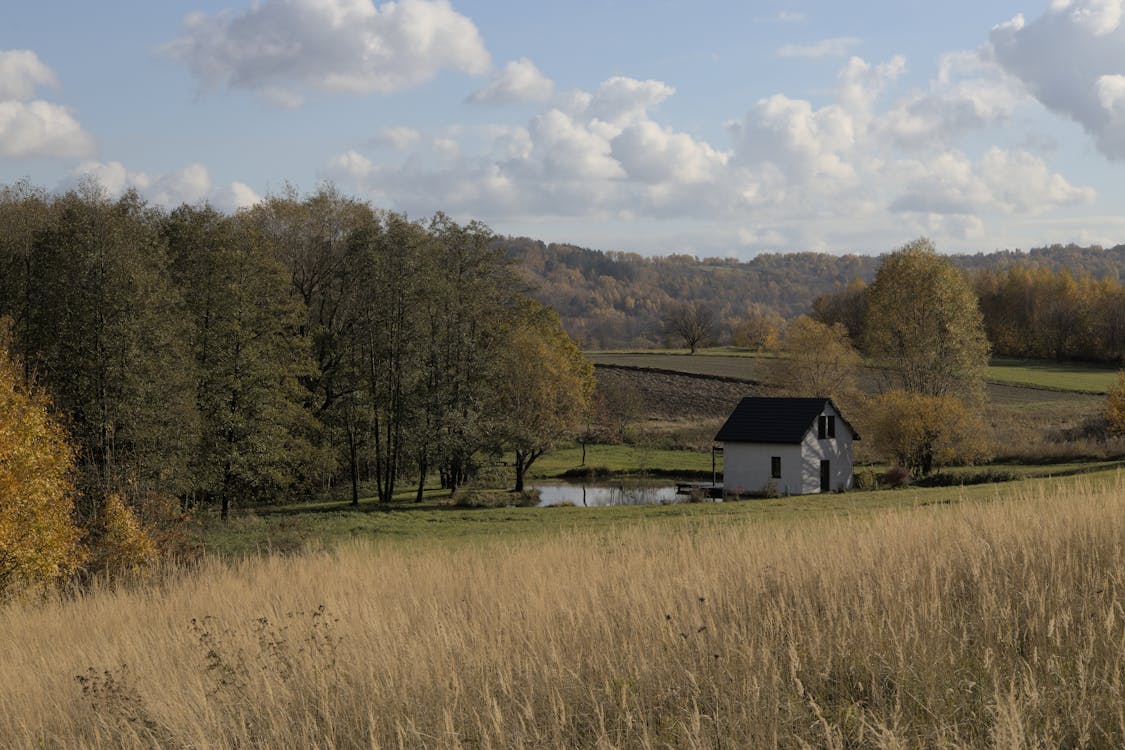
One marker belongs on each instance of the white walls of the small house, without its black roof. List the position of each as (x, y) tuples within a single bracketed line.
[(748, 466)]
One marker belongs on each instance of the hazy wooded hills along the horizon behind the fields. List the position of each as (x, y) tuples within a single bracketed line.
[(611, 300)]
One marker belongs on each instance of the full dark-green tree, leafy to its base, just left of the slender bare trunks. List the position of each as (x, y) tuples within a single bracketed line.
[(250, 356)]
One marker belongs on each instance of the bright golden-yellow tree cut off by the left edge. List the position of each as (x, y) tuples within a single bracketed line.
[(39, 540)]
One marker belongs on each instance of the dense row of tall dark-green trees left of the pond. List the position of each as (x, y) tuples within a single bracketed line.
[(307, 344)]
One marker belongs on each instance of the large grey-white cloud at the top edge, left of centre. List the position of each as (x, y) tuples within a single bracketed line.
[(282, 50)]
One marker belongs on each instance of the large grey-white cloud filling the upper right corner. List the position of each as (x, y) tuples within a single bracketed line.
[(1073, 59)]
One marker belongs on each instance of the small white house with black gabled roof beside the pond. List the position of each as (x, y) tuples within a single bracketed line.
[(789, 446)]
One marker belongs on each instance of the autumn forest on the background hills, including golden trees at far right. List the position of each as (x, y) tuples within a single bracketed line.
[(1065, 303)]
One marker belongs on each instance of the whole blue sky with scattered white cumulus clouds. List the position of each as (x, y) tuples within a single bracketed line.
[(713, 128)]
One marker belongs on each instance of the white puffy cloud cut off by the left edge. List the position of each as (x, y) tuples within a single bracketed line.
[(35, 128)]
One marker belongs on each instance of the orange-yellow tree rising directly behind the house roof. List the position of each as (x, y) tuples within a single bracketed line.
[(817, 362)]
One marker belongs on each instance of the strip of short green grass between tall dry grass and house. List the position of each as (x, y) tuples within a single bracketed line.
[(294, 529)]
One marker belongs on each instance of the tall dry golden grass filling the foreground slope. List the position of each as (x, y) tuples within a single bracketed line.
[(991, 626)]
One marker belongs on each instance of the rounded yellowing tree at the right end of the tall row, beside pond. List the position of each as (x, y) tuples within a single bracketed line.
[(543, 388)]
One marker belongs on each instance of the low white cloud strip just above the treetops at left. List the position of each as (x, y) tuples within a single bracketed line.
[(192, 185)]
